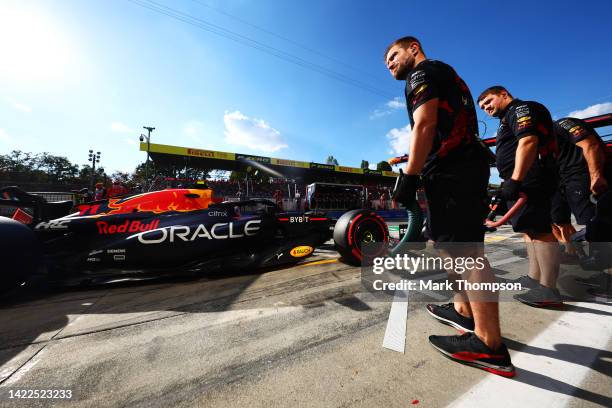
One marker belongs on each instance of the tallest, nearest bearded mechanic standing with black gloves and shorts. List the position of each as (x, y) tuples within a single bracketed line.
[(446, 151)]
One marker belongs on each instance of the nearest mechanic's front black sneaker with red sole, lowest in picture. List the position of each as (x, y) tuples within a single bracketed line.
[(469, 349)]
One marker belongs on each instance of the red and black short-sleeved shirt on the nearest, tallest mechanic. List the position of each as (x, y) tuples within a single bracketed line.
[(455, 143)]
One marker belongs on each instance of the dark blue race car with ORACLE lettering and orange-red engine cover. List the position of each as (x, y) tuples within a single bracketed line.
[(171, 231)]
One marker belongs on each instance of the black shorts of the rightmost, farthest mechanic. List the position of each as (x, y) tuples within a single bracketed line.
[(573, 196)]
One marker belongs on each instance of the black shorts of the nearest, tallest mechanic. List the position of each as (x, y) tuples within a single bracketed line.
[(457, 207)]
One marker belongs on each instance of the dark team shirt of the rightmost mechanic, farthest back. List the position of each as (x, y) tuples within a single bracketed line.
[(570, 131)]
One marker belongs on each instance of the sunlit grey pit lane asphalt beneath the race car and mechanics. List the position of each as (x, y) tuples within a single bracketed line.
[(302, 336)]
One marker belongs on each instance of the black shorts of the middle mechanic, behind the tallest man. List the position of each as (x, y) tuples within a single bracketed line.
[(534, 217)]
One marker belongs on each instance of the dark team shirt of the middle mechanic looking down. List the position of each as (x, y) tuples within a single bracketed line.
[(527, 118)]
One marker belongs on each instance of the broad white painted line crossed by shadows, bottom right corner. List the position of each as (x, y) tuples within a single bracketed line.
[(546, 377)]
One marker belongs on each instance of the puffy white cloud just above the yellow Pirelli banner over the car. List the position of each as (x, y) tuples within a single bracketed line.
[(254, 133)]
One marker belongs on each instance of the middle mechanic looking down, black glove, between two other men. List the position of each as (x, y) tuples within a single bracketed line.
[(526, 151)]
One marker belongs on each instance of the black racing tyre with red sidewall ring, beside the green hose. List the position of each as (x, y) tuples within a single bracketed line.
[(360, 236)]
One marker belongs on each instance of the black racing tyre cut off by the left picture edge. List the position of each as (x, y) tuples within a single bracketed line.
[(19, 253)]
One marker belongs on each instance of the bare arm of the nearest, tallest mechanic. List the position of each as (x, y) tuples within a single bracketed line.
[(423, 132)]
